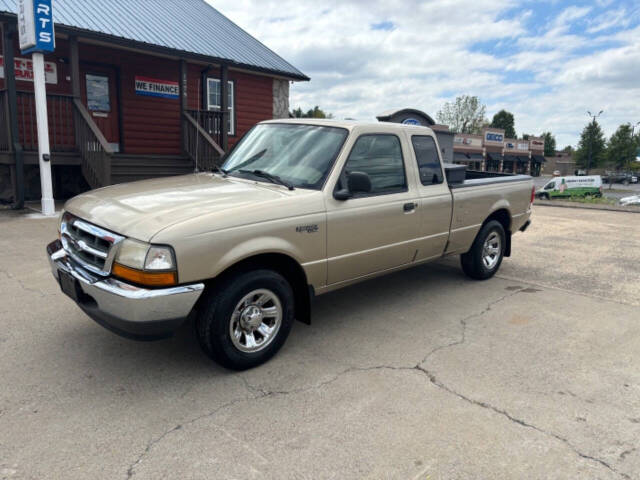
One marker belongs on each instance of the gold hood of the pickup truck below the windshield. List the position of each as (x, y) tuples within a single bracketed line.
[(141, 209)]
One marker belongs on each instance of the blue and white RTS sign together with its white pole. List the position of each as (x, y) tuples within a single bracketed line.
[(35, 28)]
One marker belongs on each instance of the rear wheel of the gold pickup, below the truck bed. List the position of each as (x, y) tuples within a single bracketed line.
[(483, 260)]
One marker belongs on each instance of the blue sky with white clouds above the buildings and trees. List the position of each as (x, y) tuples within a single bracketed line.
[(548, 62)]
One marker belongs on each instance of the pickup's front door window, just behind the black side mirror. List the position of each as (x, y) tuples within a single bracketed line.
[(380, 157)]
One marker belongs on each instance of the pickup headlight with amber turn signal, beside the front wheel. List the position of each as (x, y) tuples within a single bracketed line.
[(145, 264)]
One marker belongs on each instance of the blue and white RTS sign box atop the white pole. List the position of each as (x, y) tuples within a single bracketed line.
[(35, 26)]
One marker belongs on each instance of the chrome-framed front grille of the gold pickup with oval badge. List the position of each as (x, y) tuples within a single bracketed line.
[(91, 246)]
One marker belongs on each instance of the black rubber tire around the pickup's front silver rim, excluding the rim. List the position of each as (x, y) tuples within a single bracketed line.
[(214, 317)]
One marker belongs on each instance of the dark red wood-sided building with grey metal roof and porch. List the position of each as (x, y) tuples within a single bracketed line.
[(134, 90)]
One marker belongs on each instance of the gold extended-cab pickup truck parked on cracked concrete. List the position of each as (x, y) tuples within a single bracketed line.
[(298, 208)]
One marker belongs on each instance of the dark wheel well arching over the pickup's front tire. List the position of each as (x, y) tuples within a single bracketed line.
[(285, 266)]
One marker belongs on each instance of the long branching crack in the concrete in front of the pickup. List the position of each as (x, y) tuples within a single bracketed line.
[(260, 393)]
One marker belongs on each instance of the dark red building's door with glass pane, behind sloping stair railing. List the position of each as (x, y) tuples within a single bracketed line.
[(98, 86)]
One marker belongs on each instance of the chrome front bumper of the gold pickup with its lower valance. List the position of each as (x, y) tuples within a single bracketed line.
[(123, 308)]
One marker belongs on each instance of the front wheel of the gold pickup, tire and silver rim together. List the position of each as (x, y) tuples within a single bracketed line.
[(244, 322)]
